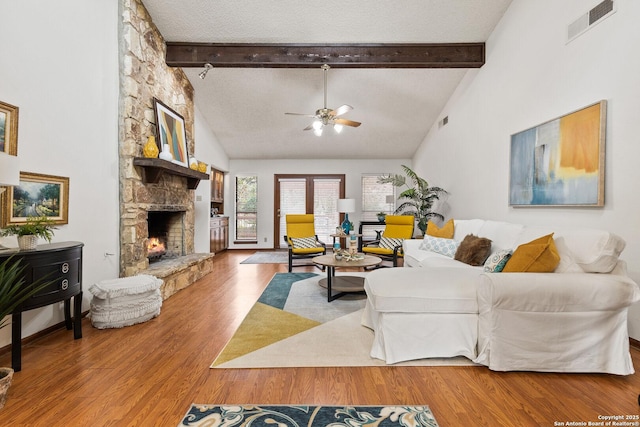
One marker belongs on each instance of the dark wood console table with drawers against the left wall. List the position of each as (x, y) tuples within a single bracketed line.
[(57, 262)]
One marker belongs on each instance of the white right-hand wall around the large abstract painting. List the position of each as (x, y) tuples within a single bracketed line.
[(531, 75)]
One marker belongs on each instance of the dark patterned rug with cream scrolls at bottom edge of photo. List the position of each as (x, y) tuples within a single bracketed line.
[(308, 416)]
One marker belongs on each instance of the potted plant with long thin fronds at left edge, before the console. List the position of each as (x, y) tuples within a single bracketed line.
[(13, 292)]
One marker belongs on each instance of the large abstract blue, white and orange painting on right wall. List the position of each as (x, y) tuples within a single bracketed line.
[(560, 162)]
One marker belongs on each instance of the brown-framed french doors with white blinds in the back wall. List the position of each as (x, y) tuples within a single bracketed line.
[(300, 194)]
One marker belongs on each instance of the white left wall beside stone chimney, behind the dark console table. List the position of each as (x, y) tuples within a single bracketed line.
[(59, 65)]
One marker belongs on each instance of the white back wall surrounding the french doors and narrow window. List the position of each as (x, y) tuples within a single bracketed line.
[(267, 169)]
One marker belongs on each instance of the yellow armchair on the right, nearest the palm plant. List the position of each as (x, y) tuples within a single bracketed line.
[(389, 247)]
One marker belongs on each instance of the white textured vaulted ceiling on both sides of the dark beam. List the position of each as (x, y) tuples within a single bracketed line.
[(245, 107)]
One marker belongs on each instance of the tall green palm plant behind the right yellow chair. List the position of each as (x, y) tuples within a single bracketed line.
[(418, 198)]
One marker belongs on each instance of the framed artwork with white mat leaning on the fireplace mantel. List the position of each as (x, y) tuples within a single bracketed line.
[(171, 131)]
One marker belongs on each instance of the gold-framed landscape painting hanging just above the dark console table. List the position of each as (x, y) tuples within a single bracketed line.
[(37, 195)]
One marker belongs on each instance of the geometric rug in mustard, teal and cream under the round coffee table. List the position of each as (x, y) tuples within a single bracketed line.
[(293, 325)]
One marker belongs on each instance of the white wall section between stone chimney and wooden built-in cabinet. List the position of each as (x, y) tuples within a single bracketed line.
[(207, 150)]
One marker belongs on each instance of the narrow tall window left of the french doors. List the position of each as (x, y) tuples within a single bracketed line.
[(247, 208)]
